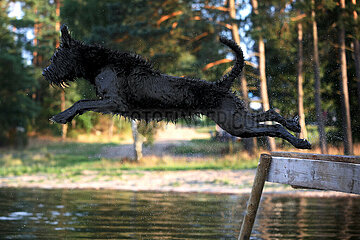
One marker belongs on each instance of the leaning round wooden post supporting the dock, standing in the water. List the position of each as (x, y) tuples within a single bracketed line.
[(254, 200)]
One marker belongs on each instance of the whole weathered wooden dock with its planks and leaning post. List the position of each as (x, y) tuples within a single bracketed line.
[(307, 170)]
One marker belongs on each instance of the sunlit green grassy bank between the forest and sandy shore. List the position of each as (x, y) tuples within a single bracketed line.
[(74, 159)]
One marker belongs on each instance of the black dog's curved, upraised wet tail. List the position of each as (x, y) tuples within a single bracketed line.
[(228, 79)]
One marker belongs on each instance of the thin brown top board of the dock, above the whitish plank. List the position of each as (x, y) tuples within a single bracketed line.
[(325, 157)]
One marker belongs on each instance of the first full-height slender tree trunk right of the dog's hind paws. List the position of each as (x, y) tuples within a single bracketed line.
[(316, 64)]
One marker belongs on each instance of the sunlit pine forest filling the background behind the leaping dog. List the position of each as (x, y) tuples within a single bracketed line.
[(302, 58)]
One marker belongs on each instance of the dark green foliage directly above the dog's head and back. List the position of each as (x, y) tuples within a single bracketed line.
[(137, 26)]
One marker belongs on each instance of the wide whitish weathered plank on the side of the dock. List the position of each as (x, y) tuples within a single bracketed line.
[(337, 176)]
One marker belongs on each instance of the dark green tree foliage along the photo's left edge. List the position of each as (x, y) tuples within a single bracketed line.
[(16, 82)]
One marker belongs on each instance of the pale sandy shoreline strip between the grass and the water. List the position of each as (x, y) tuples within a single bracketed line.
[(190, 181)]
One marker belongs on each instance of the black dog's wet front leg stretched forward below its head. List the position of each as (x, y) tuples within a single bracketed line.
[(103, 105)]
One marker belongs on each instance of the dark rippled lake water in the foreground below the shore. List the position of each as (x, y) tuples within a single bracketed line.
[(108, 214)]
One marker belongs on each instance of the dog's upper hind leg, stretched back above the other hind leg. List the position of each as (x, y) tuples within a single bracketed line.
[(272, 115)]
